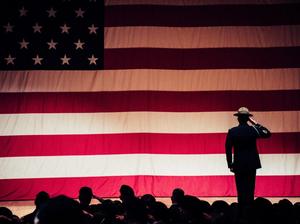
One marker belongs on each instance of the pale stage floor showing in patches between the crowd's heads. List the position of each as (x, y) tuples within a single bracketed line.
[(21, 208)]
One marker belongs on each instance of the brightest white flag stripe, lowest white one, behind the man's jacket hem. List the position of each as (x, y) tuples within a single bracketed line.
[(137, 164)]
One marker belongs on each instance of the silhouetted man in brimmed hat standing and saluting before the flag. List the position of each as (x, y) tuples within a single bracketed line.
[(242, 139)]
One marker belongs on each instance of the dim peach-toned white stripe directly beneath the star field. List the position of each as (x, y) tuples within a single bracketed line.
[(150, 79)]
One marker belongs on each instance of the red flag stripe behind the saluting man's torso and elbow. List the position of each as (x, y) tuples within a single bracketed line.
[(50, 145)]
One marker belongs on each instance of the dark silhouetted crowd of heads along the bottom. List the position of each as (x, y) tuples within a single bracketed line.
[(130, 209)]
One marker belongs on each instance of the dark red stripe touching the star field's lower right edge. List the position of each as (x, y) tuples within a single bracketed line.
[(203, 58)]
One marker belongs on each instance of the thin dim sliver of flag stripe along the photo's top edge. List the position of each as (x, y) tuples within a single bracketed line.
[(196, 2)]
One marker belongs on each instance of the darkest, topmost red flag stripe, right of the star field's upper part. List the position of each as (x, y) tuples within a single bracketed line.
[(210, 15)]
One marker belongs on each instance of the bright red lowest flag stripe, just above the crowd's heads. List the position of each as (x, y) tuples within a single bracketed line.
[(24, 189)]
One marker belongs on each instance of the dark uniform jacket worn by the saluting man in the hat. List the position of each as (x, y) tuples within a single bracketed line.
[(243, 140)]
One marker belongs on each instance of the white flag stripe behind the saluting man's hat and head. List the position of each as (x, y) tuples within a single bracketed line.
[(139, 122)]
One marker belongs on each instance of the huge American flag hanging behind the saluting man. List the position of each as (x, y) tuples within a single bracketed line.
[(156, 117)]
